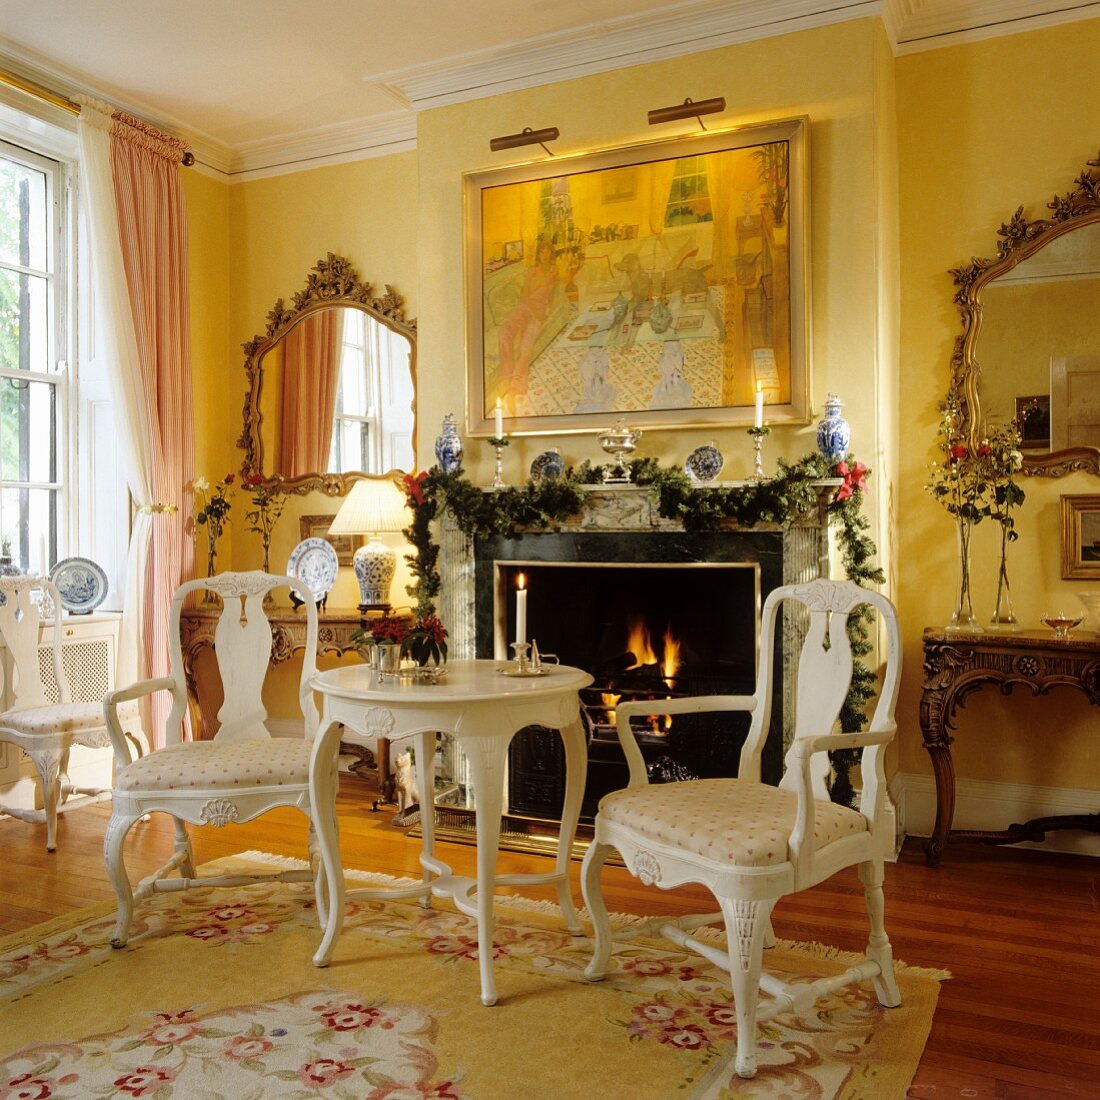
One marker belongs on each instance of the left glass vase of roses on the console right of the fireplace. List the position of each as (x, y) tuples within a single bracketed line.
[(961, 483)]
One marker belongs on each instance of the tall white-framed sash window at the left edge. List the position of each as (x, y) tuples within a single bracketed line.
[(34, 354)]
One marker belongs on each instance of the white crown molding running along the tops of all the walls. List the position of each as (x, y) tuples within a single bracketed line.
[(680, 29)]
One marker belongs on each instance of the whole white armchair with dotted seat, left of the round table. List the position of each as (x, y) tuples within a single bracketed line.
[(238, 775)]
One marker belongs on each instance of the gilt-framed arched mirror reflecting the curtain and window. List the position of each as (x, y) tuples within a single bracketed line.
[(332, 386)]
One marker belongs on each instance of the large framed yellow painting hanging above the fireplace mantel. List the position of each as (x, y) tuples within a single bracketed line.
[(662, 283)]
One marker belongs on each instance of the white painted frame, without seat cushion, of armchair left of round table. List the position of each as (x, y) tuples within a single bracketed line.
[(243, 646)]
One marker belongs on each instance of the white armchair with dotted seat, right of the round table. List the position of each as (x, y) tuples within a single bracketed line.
[(750, 843)]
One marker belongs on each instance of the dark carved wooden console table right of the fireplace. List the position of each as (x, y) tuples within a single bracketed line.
[(958, 665)]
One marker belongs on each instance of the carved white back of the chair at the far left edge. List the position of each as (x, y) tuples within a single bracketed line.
[(21, 618)]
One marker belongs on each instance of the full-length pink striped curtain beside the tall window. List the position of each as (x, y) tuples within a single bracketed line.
[(153, 236)]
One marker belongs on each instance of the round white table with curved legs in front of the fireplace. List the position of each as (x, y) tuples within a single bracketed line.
[(483, 709)]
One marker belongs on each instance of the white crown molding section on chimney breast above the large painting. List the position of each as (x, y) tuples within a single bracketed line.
[(687, 28)]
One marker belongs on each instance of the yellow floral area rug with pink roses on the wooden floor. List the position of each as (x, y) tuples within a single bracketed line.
[(216, 997)]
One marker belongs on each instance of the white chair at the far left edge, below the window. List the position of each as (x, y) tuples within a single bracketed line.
[(43, 721)]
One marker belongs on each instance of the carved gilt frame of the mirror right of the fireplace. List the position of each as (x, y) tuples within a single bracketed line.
[(1019, 239)]
